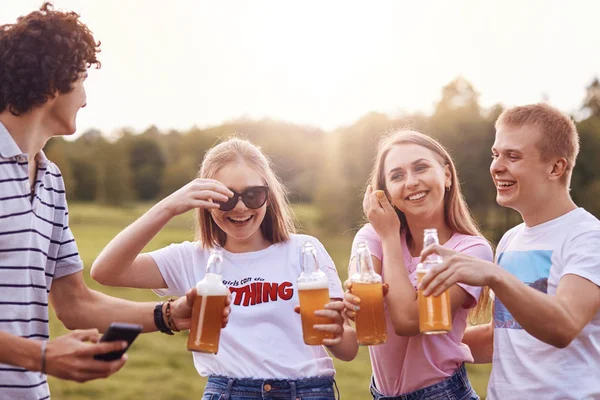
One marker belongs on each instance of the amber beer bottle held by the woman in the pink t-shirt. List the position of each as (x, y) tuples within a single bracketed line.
[(371, 328)]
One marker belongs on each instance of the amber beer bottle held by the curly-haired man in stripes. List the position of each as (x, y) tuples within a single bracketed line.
[(207, 312)]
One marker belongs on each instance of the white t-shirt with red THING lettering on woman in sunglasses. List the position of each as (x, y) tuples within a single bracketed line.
[(263, 338)]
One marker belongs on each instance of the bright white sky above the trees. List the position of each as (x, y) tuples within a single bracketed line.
[(180, 63)]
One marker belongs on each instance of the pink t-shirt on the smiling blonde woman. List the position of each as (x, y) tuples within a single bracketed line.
[(408, 363)]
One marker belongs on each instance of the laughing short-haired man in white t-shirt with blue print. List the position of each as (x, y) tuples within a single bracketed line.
[(546, 326)]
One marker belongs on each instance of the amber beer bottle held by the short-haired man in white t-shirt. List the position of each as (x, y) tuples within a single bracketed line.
[(435, 316)]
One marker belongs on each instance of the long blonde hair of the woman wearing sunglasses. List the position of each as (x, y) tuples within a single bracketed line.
[(278, 223)]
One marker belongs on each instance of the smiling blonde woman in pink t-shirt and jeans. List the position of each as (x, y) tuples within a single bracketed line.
[(420, 191)]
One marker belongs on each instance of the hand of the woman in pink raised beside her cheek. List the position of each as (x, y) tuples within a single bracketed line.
[(380, 212)]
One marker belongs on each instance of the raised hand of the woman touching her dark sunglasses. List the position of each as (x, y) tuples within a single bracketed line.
[(199, 193)]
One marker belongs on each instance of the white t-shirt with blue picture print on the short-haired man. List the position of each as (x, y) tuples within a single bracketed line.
[(524, 367)]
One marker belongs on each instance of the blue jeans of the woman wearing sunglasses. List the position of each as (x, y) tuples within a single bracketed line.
[(224, 388)]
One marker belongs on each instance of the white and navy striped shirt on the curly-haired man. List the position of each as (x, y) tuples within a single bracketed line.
[(36, 246)]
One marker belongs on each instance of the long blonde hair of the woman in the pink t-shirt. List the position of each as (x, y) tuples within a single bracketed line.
[(457, 215)]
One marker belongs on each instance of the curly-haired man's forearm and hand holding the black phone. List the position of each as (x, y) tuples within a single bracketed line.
[(66, 357)]
